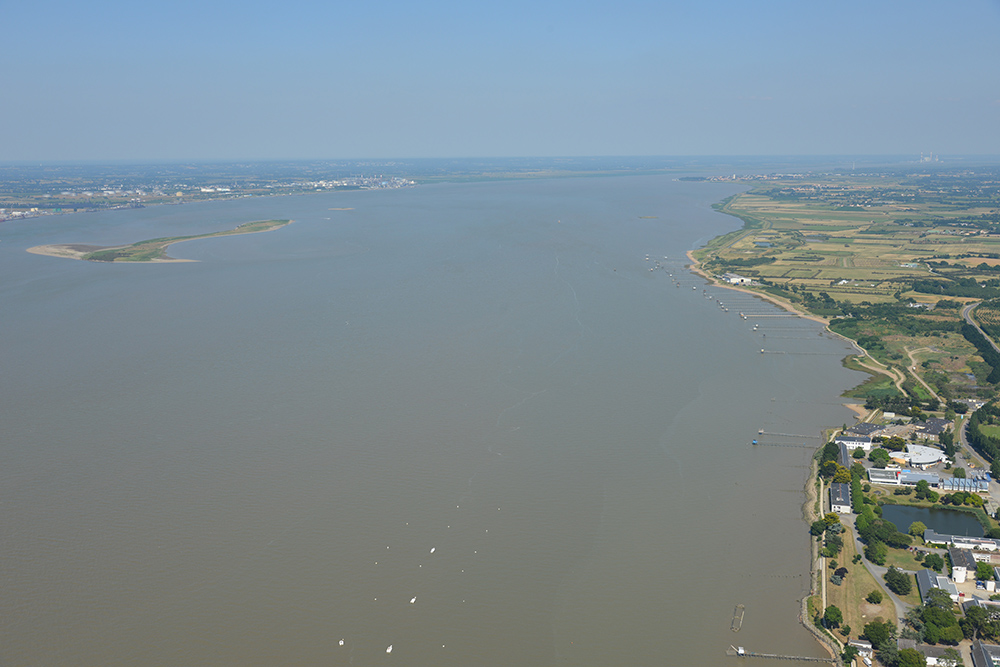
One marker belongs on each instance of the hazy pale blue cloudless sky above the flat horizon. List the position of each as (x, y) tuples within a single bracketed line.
[(111, 79)]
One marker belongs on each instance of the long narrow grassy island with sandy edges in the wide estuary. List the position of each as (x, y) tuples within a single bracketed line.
[(151, 250)]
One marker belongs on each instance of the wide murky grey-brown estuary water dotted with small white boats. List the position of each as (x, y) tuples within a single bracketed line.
[(466, 421)]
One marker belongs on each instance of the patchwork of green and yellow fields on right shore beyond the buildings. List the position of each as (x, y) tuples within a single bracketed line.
[(854, 250)]
